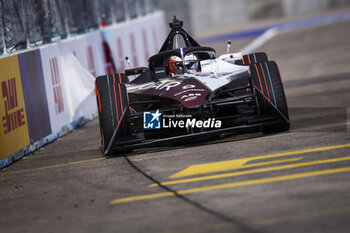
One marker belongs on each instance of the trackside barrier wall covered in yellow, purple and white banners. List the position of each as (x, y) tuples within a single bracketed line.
[(48, 91)]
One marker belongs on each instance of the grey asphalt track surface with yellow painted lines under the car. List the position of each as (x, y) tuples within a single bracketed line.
[(297, 181)]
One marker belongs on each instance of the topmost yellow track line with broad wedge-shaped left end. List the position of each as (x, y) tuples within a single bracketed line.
[(225, 165)]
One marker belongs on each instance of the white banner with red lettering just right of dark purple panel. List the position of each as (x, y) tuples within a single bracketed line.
[(56, 93)]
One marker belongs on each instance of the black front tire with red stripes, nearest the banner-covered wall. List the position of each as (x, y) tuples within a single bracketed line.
[(112, 99)]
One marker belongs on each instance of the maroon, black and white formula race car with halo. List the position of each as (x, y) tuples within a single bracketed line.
[(187, 94)]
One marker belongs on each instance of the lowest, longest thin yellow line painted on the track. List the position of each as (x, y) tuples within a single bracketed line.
[(231, 185)]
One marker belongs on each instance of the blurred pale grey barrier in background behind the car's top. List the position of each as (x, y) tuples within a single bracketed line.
[(208, 15)]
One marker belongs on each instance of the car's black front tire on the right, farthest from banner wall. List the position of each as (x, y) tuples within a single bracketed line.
[(266, 77)]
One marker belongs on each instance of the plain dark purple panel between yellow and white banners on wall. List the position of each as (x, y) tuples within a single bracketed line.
[(34, 93)]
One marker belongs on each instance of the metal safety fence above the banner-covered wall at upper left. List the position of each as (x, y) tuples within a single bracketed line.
[(27, 23)]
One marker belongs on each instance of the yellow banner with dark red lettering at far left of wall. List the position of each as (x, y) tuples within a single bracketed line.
[(13, 119)]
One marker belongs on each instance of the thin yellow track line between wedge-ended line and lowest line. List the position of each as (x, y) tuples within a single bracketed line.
[(267, 169)]
